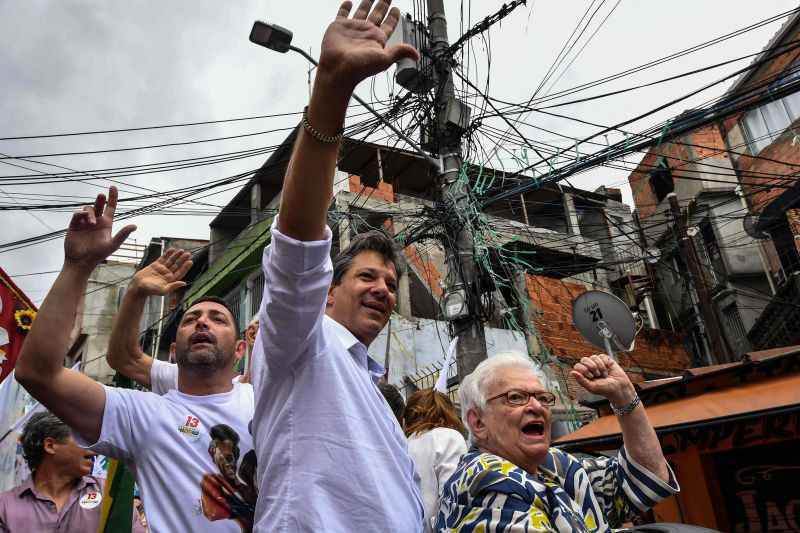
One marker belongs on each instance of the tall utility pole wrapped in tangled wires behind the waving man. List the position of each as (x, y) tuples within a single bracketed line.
[(468, 327)]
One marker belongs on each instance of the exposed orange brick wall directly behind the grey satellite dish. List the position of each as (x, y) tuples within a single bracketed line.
[(657, 352)]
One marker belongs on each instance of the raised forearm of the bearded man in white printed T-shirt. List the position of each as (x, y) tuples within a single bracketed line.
[(48, 341)]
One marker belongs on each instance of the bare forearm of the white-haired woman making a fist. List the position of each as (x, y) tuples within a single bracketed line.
[(640, 438)]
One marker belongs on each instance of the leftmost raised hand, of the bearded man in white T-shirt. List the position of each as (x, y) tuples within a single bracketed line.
[(89, 239)]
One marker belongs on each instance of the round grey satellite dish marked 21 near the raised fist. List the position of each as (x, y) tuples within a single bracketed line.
[(605, 321)]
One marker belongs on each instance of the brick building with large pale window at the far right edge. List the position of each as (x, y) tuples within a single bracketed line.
[(763, 143)]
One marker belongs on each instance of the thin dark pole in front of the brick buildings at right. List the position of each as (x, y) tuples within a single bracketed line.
[(706, 317)]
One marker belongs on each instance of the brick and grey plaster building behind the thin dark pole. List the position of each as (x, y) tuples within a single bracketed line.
[(697, 169)]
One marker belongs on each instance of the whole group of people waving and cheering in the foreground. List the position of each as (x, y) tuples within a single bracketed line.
[(306, 441)]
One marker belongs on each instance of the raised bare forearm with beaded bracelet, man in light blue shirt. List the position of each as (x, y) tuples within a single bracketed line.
[(308, 187)]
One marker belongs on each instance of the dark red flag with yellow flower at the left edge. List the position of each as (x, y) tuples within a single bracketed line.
[(17, 313)]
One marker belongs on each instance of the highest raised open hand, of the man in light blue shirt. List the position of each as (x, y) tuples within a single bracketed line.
[(354, 49)]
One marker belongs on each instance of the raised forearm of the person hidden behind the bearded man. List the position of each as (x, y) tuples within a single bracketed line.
[(124, 353)]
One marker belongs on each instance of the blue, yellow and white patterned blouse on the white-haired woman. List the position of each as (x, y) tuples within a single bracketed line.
[(488, 494)]
